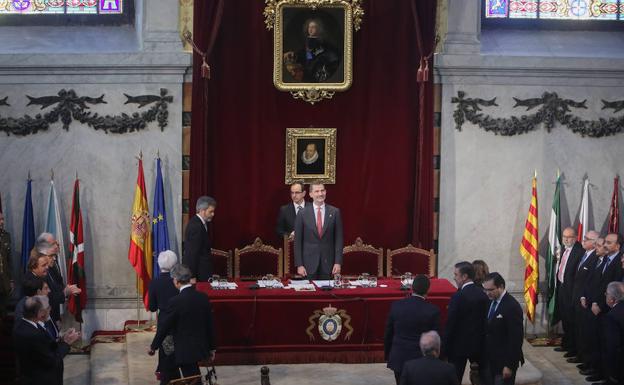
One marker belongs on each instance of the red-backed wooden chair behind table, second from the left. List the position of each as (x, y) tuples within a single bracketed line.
[(256, 260)]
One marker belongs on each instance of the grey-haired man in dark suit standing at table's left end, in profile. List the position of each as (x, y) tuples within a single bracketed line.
[(197, 247)]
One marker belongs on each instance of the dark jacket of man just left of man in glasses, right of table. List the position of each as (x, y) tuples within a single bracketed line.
[(465, 325)]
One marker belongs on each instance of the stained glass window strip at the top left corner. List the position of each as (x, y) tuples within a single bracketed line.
[(68, 7)]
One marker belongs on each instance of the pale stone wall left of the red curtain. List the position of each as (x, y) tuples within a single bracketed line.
[(136, 60)]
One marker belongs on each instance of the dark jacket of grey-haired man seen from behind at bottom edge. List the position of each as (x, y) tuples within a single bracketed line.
[(428, 371)]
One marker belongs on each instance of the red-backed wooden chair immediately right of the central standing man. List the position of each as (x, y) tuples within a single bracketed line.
[(360, 258)]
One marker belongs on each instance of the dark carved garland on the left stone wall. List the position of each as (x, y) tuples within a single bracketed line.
[(69, 107)]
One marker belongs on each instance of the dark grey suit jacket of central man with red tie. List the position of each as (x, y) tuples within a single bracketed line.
[(312, 249)]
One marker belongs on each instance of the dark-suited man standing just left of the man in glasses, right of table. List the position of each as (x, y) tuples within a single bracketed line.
[(465, 325)]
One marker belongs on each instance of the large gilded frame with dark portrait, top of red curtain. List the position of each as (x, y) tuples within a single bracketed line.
[(313, 45)]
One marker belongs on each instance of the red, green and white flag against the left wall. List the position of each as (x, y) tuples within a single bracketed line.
[(76, 273)]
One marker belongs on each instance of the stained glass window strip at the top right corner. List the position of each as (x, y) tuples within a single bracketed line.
[(555, 9)]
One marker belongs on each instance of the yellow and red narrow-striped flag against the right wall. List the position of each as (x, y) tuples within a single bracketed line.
[(528, 250)]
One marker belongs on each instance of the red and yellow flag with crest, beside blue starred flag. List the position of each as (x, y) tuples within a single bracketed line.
[(140, 253)]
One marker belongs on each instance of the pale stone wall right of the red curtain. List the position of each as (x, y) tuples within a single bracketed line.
[(485, 178)]
